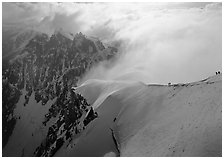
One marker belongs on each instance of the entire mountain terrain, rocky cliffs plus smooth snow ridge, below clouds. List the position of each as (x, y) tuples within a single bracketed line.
[(45, 113)]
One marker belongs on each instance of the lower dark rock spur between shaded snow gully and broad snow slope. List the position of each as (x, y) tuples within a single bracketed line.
[(68, 124)]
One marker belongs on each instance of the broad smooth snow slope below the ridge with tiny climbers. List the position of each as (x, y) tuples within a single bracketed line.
[(152, 120)]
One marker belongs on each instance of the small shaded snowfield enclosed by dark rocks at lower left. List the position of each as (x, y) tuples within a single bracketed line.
[(29, 130)]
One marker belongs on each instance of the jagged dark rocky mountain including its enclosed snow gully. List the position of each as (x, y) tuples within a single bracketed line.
[(38, 104)]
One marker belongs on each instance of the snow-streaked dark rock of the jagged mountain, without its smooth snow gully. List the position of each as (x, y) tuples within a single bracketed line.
[(49, 67)]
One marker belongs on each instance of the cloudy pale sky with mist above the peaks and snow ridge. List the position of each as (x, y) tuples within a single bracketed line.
[(161, 42)]
